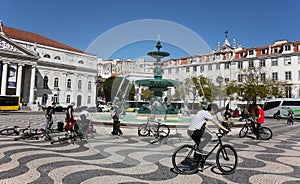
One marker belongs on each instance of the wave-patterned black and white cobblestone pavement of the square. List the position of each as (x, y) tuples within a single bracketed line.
[(132, 159)]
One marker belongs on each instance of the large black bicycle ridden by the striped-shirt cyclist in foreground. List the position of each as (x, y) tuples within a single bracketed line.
[(185, 160)]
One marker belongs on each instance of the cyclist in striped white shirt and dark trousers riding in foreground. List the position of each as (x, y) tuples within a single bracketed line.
[(198, 125)]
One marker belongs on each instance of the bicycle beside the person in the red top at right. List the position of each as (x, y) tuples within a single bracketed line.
[(265, 133)]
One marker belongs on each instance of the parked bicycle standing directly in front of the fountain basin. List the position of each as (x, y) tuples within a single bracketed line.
[(153, 127)]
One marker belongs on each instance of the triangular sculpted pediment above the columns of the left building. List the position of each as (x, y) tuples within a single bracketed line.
[(9, 48)]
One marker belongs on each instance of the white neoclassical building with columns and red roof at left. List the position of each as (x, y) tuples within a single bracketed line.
[(41, 70)]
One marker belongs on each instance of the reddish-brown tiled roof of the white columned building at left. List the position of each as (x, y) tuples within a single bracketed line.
[(36, 38)]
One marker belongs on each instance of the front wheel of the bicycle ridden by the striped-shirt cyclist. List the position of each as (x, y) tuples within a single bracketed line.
[(226, 159)]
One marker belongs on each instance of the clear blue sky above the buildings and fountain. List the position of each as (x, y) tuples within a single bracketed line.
[(78, 23)]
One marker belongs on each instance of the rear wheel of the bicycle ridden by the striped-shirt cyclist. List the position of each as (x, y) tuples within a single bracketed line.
[(183, 160)]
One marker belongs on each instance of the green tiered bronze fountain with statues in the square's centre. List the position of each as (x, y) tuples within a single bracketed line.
[(158, 85)]
